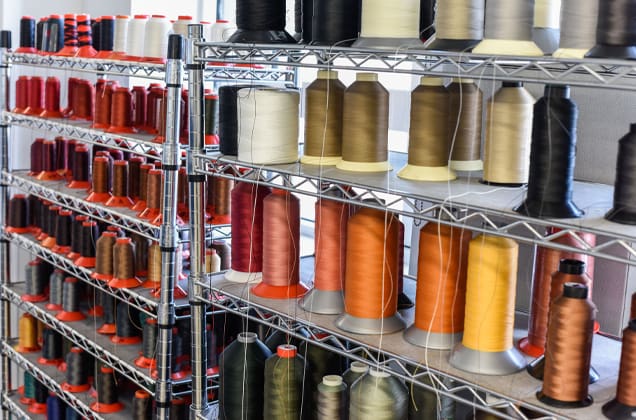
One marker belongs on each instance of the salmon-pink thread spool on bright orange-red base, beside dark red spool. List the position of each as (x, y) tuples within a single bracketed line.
[(281, 248)]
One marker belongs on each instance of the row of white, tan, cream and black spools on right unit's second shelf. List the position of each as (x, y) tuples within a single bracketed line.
[(348, 127)]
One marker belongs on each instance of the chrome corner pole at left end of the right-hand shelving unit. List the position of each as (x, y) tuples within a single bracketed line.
[(197, 223)]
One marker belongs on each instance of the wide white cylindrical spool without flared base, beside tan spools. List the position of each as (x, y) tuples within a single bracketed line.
[(268, 125)]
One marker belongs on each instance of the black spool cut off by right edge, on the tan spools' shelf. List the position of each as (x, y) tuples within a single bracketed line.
[(624, 206)]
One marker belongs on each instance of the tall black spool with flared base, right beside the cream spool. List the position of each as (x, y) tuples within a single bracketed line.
[(550, 183)]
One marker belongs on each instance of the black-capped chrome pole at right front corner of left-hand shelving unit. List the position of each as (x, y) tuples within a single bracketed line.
[(169, 241)]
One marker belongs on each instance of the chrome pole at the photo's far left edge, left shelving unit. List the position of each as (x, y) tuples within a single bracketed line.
[(5, 313)]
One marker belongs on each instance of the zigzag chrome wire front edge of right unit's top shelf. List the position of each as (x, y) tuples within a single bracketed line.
[(611, 74)]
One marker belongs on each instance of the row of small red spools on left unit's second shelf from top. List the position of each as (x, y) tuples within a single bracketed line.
[(110, 107)]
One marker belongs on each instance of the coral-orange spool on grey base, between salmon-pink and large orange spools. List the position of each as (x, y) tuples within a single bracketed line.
[(330, 240)]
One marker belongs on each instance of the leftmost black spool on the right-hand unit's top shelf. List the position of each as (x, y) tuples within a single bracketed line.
[(260, 22)]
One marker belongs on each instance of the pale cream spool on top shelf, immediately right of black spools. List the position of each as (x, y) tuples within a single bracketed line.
[(389, 24)]
